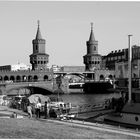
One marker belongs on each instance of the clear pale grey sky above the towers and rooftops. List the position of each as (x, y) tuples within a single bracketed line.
[(65, 25)]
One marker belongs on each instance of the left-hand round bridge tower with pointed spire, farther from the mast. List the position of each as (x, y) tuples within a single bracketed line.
[(39, 58)]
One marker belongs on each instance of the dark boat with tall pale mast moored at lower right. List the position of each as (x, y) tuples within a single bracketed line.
[(129, 116)]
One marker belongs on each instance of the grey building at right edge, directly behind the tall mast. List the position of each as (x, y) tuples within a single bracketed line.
[(121, 69)]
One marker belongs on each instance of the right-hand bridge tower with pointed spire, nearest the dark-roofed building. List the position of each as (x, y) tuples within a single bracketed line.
[(92, 59)]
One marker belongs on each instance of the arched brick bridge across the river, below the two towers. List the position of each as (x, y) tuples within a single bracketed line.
[(42, 82)]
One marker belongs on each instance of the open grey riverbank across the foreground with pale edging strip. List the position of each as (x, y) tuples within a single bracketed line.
[(58, 129)]
